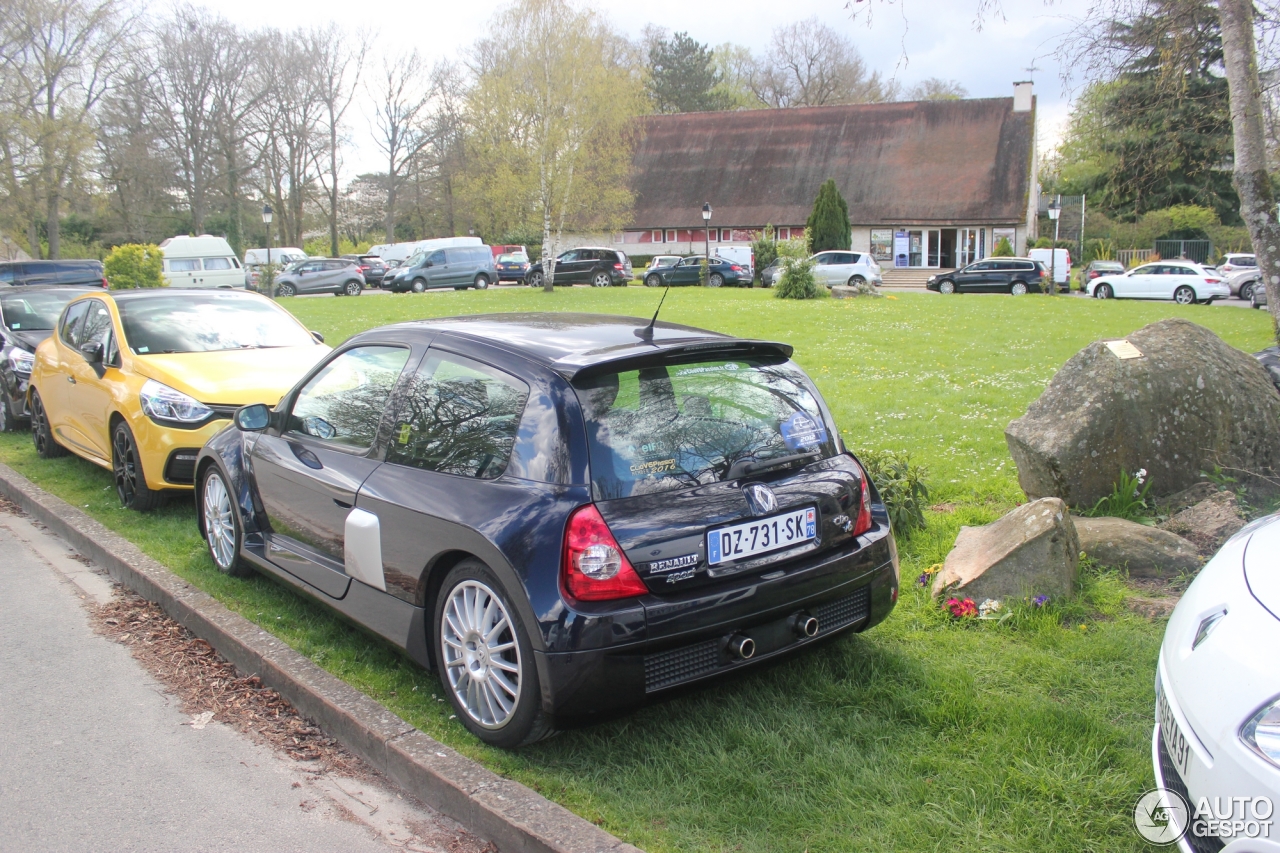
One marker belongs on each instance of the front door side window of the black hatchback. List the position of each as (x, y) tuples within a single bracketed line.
[(344, 404)]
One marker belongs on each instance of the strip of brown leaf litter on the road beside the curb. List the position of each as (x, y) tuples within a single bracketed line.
[(204, 681)]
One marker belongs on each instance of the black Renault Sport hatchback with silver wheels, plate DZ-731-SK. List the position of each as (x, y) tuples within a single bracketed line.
[(478, 491)]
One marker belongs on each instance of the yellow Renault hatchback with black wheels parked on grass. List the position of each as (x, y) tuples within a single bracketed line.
[(138, 381)]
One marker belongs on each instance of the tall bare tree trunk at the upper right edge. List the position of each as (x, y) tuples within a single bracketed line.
[(1252, 183)]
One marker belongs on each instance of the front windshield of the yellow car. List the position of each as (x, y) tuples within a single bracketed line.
[(208, 323)]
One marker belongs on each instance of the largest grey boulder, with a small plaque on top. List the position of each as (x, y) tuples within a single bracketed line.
[(1187, 404)]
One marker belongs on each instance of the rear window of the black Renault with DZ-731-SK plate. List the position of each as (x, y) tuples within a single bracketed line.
[(665, 428)]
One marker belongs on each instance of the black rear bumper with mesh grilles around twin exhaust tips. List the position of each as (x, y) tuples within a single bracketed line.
[(688, 641)]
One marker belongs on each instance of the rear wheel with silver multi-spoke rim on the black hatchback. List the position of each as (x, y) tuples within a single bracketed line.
[(493, 709)]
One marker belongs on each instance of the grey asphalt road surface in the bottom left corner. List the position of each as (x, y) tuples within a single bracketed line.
[(97, 756)]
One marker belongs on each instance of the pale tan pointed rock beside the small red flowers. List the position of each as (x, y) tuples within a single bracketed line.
[(1032, 551)]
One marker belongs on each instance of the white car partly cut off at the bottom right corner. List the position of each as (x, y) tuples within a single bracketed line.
[(1217, 742)]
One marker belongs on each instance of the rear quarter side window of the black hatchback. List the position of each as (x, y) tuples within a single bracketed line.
[(458, 417)]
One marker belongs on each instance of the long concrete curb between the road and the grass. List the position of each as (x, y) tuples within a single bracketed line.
[(504, 811)]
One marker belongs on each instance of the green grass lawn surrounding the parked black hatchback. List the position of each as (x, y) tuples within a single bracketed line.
[(922, 735)]
